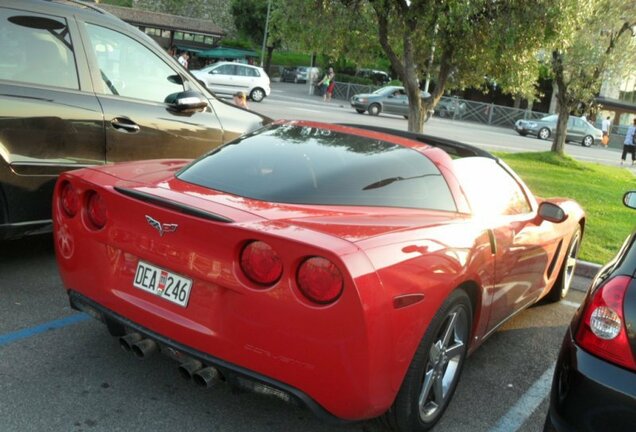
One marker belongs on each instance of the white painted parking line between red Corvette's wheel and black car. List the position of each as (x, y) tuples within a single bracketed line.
[(526, 405)]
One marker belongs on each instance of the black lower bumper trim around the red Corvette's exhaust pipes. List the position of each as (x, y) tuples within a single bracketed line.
[(235, 375)]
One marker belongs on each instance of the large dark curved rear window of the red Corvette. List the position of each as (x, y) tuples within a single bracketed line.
[(307, 165)]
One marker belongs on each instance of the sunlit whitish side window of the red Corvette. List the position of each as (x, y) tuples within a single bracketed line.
[(490, 189)]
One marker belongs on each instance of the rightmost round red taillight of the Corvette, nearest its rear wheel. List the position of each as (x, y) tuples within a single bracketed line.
[(320, 280)]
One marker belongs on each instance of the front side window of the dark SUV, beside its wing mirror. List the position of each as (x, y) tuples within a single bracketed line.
[(130, 69)]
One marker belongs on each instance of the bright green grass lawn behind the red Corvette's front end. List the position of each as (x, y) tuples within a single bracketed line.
[(597, 188)]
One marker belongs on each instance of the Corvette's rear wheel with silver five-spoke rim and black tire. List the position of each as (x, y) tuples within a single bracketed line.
[(434, 372)]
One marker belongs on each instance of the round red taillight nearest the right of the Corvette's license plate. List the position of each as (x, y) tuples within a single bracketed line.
[(261, 263)]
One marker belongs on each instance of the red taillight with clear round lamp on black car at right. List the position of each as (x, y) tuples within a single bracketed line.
[(602, 329)]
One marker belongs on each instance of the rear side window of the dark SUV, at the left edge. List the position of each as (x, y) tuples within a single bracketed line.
[(36, 49)]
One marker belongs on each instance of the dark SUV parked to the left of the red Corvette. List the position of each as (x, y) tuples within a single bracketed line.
[(79, 87)]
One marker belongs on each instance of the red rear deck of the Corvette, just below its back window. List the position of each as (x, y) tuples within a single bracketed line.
[(351, 223)]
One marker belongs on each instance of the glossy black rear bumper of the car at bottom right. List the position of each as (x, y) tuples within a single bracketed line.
[(590, 394)]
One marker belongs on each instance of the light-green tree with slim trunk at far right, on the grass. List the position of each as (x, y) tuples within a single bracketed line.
[(598, 44)]
